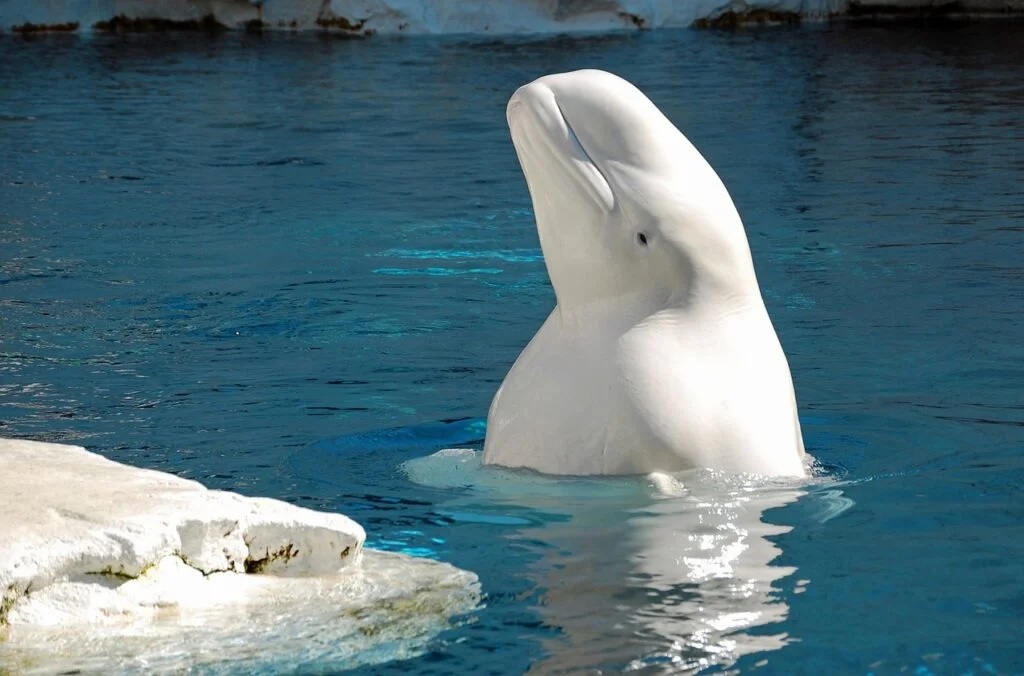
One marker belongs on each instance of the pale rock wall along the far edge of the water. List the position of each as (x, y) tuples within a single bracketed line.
[(448, 17)]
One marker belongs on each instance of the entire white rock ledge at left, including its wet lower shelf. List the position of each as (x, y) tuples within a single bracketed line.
[(109, 551)]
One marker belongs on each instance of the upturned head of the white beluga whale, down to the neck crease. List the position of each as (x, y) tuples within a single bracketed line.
[(625, 205)]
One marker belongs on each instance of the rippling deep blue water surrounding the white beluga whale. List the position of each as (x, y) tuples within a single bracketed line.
[(235, 259)]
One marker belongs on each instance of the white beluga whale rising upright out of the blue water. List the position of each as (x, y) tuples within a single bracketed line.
[(660, 355)]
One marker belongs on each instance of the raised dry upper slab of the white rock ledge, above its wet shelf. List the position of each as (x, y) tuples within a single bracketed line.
[(73, 515)]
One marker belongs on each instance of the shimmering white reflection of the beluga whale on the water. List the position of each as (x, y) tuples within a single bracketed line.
[(639, 573)]
